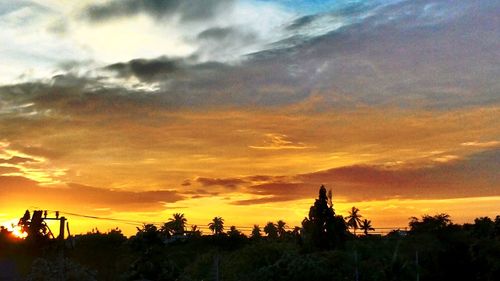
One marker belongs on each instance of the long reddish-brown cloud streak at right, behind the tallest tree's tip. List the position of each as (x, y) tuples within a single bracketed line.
[(474, 176)]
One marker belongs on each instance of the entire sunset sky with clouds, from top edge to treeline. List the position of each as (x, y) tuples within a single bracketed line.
[(242, 109)]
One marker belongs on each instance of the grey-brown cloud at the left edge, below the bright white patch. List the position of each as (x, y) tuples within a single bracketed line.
[(69, 94)]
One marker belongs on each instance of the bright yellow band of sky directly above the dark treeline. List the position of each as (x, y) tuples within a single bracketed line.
[(393, 214)]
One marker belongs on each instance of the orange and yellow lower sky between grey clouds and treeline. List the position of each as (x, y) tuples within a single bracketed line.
[(252, 166)]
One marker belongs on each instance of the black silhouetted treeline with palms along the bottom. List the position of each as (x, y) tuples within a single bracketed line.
[(433, 248)]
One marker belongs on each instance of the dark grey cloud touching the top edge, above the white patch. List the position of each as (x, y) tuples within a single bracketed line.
[(186, 10)]
